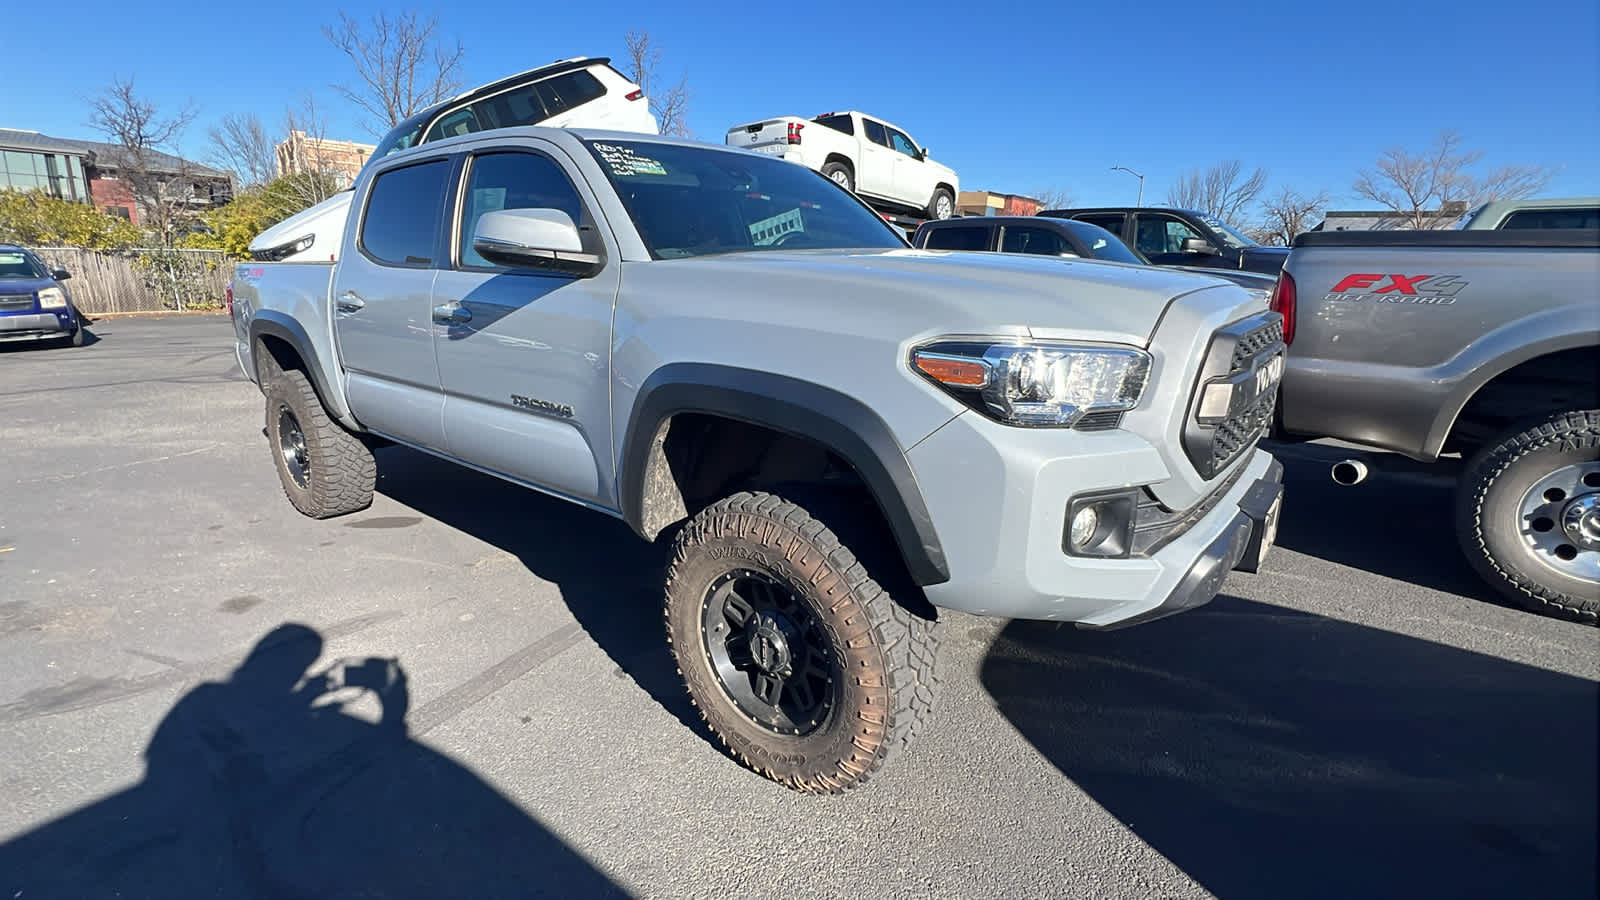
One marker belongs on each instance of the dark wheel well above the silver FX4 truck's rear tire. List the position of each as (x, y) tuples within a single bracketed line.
[(1546, 385)]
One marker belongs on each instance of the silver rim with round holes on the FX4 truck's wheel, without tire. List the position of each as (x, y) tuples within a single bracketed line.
[(1561, 521)]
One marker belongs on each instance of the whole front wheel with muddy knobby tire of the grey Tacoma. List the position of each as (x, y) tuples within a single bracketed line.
[(796, 657)]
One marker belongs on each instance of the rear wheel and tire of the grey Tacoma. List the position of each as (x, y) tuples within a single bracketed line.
[(326, 470)]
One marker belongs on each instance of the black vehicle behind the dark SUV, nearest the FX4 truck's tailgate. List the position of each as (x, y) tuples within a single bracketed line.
[(1182, 238)]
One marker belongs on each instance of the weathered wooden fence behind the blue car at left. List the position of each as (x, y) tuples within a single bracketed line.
[(142, 279)]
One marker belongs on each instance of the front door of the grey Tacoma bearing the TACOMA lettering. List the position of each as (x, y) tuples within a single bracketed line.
[(524, 358)]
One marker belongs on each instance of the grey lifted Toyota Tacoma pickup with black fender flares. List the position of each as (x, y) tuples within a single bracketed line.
[(836, 433)]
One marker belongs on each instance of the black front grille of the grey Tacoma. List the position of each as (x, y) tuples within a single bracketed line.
[(1238, 353)]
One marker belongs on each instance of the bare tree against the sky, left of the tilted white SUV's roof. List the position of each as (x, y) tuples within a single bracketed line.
[(404, 66)]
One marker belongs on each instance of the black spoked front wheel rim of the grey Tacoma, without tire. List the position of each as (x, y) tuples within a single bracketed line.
[(769, 653)]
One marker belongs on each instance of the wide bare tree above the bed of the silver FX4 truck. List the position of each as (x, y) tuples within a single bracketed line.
[(1433, 188)]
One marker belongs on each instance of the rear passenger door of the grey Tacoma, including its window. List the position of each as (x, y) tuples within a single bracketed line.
[(383, 299)]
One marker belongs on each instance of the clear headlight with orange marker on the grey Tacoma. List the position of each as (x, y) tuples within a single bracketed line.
[(1039, 384)]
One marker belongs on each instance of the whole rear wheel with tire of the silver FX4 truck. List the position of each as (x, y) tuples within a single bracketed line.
[(1529, 515)]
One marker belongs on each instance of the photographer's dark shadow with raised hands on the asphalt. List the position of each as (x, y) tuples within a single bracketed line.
[(268, 785)]
